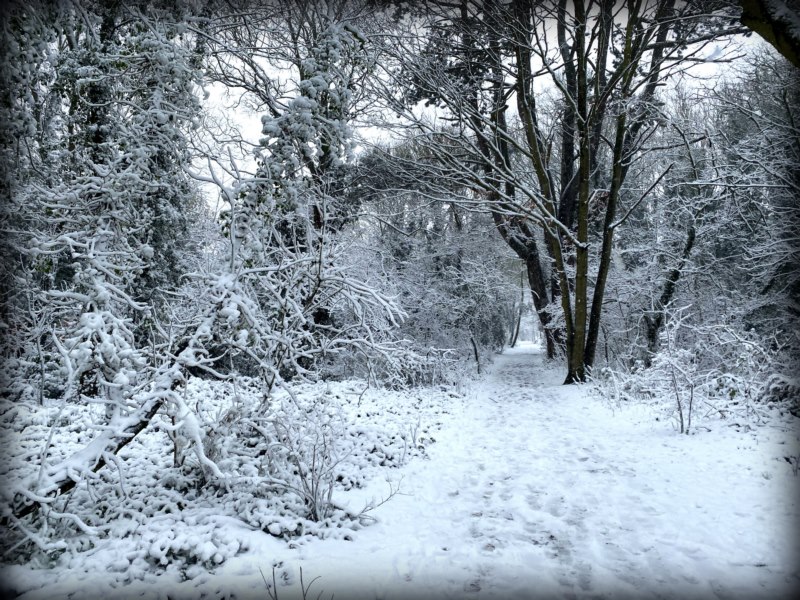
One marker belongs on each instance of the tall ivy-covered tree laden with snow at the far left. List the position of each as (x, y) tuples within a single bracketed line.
[(100, 237)]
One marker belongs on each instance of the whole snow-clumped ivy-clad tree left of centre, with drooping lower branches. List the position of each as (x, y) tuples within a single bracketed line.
[(297, 304)]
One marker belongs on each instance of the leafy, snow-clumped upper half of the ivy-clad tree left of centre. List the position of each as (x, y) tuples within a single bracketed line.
[(304, 153)]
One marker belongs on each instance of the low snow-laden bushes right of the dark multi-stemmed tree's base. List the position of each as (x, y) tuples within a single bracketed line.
[(703, 373)]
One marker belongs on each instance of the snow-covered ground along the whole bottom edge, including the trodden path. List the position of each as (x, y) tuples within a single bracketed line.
[(525, 489)]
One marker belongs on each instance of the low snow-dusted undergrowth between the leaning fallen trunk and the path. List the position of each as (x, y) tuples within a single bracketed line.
[(286, 459)]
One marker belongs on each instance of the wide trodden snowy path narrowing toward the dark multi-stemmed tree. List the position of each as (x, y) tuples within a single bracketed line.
[(534, 490)]
